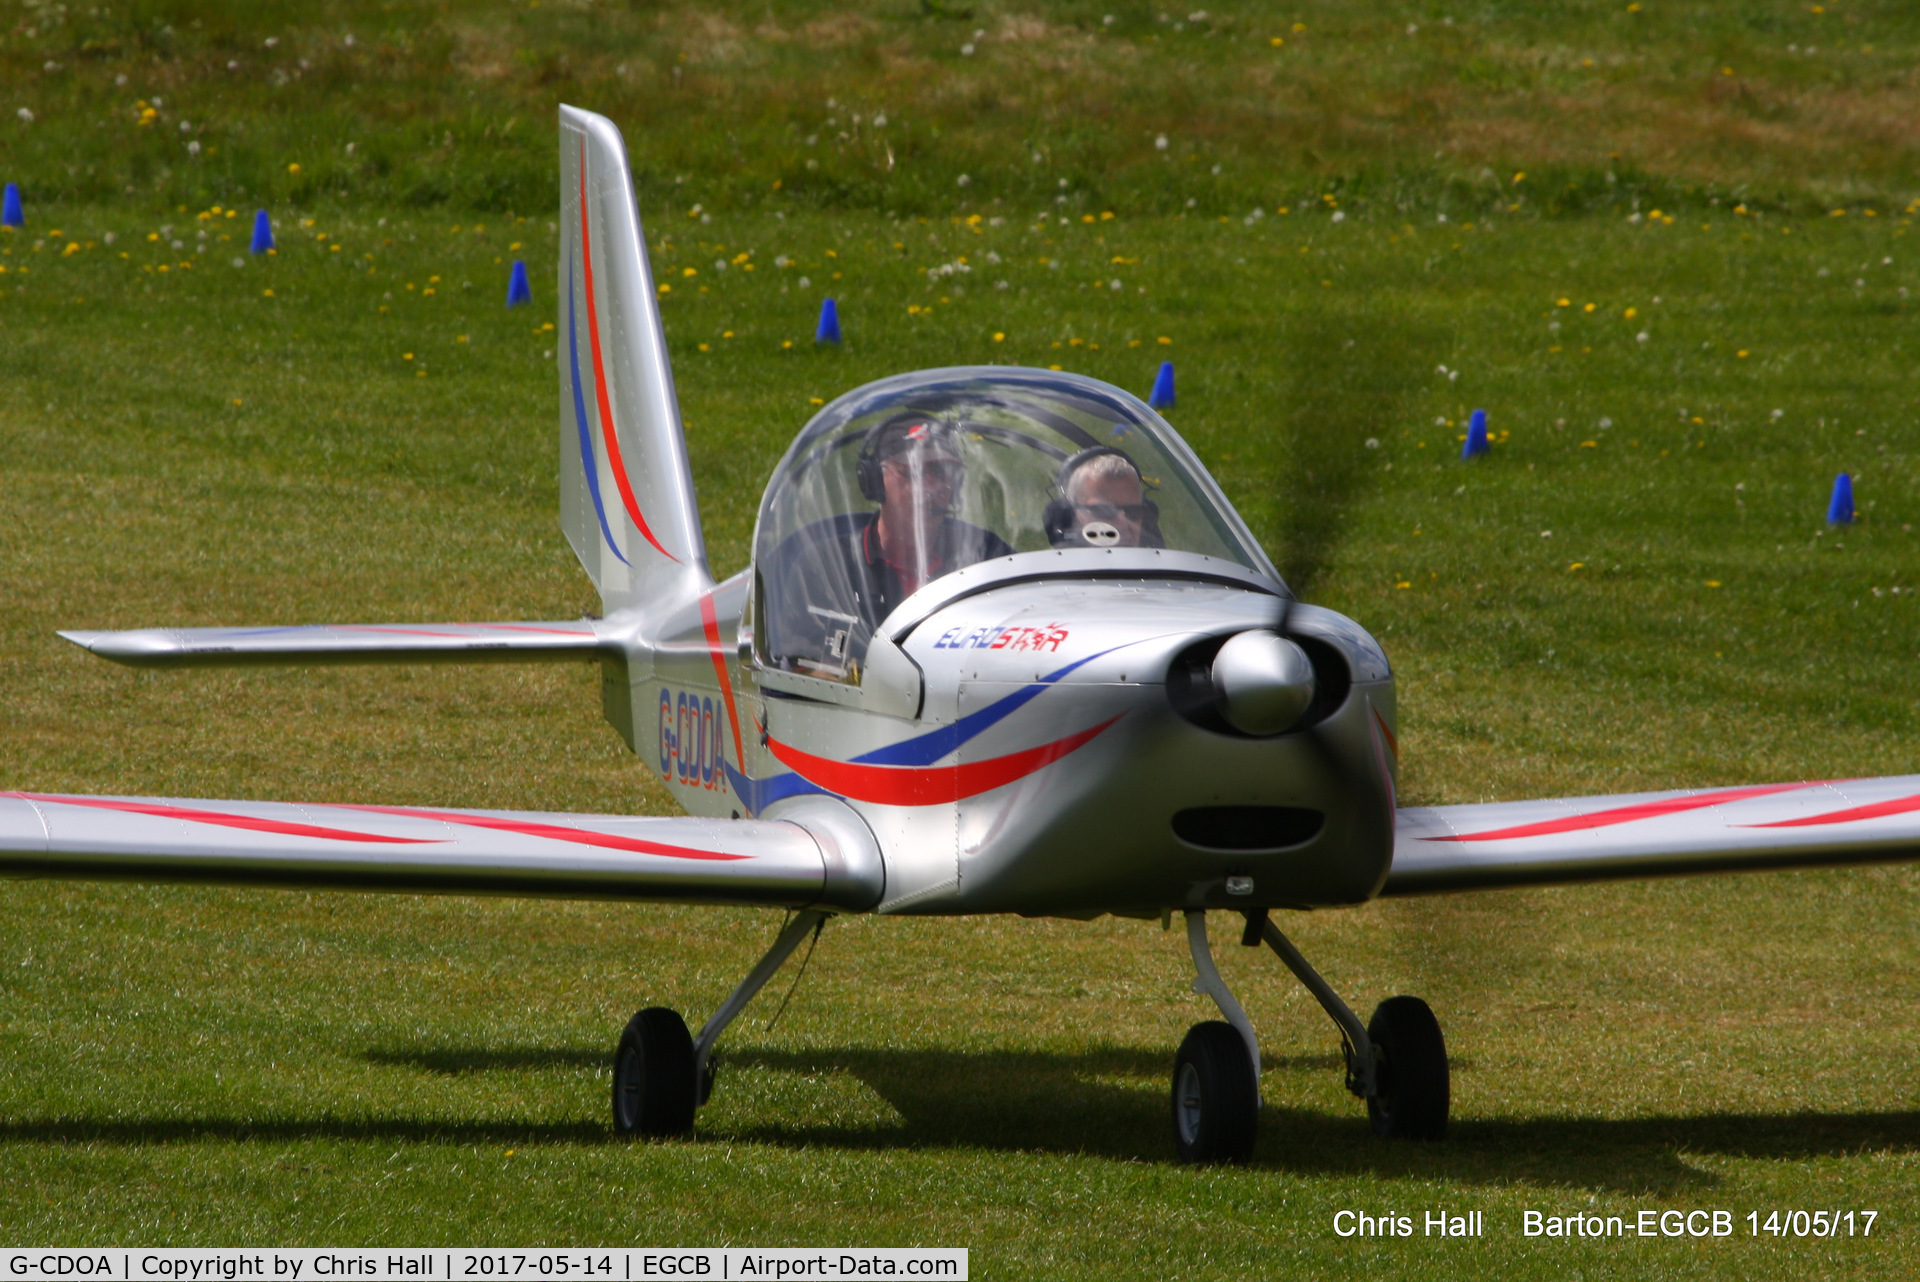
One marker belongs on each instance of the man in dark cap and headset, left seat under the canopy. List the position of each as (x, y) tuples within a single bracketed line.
[(838, 579)]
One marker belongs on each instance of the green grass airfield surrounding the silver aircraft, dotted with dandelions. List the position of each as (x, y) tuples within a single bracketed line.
[(1637, 590)]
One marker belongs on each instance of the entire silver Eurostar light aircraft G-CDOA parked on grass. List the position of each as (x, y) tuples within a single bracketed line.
[(1005, 648)]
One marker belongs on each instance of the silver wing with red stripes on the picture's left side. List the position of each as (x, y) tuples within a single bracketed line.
[(416, 849)]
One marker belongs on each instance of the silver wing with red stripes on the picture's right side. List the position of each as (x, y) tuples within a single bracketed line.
[(1656, 836)]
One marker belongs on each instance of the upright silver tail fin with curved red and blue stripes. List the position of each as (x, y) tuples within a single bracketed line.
[(627, 494)]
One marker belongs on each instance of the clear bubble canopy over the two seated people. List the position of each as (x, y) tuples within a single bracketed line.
[(917, 477)]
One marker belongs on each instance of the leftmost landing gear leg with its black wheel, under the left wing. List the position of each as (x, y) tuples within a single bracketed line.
[(661, 1074)]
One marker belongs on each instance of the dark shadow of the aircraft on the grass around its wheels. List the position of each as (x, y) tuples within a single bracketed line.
[(1105, 1103)]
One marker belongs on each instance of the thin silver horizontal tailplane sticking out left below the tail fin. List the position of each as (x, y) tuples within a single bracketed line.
[(345, 644)]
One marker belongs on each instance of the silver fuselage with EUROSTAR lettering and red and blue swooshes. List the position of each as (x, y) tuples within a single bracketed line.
[(1019, 738)]
